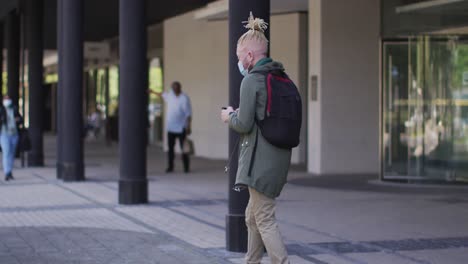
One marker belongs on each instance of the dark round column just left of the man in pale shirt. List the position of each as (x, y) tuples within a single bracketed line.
[(133, 185)]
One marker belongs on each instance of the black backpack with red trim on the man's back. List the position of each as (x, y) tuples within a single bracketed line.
[(281, 126)]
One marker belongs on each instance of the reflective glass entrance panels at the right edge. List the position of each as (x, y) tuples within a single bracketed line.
[(425, 109)]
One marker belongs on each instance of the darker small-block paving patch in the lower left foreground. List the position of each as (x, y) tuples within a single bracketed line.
[(130, 247)]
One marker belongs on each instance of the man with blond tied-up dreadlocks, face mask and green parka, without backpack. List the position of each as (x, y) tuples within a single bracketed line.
[(263, 168)]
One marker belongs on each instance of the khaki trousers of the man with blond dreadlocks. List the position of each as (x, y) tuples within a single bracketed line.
[(263, 230)]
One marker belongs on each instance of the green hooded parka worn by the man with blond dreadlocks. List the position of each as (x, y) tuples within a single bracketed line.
[(262, 166)]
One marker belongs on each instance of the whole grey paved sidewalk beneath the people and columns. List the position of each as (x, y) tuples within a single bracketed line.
[(334, 220)]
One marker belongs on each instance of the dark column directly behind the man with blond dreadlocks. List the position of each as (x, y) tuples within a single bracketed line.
[(239, 10)]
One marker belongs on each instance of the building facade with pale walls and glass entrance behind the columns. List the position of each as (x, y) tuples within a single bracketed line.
[(384, 83)]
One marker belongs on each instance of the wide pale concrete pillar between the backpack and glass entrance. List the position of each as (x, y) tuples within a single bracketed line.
[(343, 98)]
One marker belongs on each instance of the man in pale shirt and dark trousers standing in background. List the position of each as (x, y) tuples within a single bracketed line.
[(178, 122)]
